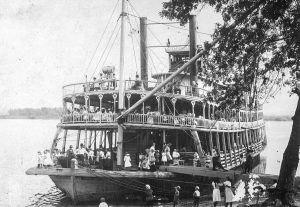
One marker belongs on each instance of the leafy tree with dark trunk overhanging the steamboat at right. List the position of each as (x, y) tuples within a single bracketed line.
[(256, 58)]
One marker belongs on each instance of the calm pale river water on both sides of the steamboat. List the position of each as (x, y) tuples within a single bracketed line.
[(21, 139)]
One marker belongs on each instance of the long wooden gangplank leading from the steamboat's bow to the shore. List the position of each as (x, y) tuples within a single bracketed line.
[(235, 175)]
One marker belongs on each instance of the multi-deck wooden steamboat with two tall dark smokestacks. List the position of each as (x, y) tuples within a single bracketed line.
[(127, 116)]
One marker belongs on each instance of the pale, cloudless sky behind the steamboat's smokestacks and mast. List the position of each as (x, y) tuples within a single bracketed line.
[(45, 44)]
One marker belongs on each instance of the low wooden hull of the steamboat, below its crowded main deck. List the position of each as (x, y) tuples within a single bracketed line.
[(88, 186)]
